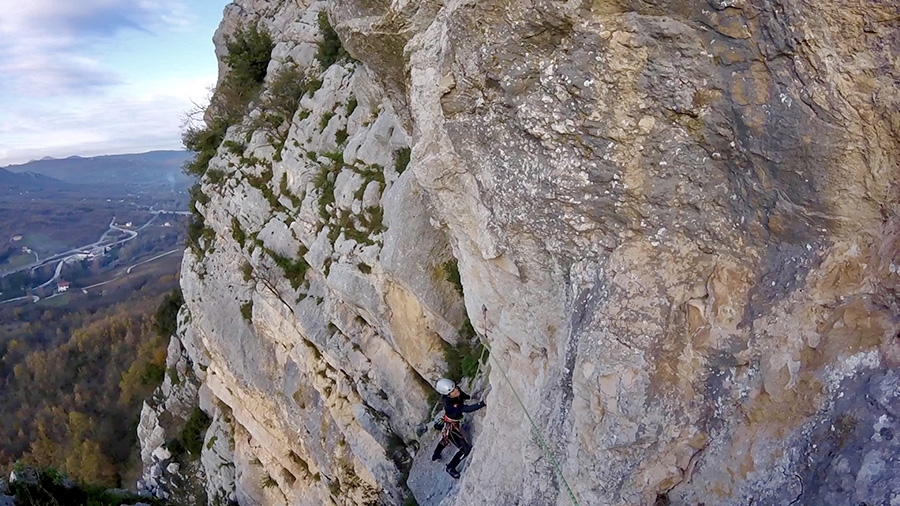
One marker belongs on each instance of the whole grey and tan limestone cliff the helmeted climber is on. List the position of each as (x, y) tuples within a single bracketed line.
[(675, 224)]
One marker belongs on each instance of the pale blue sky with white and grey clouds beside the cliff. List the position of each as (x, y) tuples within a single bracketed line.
[(93, 77)]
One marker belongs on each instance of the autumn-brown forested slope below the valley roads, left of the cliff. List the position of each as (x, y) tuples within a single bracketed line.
[(74, 379)]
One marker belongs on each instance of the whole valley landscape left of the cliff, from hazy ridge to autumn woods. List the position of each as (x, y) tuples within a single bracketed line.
[(90, 255)]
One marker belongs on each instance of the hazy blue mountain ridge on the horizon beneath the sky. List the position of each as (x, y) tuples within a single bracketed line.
[(140, 168)]
